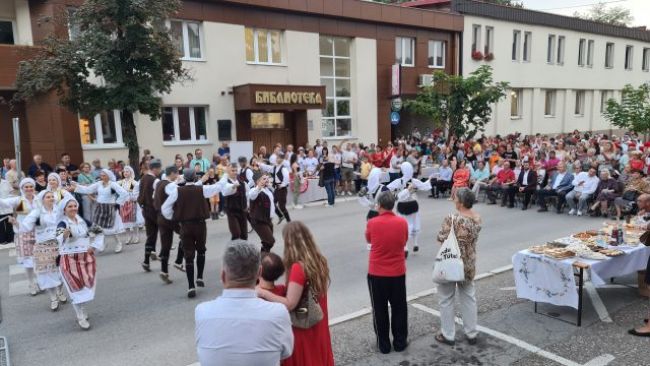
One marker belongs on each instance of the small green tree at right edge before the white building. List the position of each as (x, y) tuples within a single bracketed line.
[(633, 112)]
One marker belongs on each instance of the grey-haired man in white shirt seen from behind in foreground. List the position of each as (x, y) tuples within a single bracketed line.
[(238, 328)]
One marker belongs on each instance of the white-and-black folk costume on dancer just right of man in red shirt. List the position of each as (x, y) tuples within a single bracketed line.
[(407, 204)]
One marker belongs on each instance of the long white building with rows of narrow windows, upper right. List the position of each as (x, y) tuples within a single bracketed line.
[(561, 70)]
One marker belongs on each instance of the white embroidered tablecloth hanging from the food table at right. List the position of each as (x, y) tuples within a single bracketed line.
[(543, 279)]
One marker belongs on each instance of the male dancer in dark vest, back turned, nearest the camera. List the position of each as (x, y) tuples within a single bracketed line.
[(187, 205)]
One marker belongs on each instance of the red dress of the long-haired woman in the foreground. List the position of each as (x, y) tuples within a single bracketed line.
[(313, 346)]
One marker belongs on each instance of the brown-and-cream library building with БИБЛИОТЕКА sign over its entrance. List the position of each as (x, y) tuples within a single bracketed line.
[(267, 71)]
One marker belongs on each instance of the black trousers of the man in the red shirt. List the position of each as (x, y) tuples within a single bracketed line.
[(385, 290)]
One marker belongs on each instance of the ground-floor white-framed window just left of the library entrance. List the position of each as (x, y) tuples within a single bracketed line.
[(184, 124)]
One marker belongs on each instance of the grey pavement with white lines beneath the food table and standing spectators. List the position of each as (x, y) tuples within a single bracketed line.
[(510, 332)]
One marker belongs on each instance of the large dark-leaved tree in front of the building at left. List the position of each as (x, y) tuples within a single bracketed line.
[(122, 59)]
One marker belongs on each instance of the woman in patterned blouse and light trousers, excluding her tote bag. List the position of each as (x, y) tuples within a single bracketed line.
[(467, 225)]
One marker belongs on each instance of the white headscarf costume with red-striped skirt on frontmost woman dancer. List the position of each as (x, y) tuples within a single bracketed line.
[(77, 264)]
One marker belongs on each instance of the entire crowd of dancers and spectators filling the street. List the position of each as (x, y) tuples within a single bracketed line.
[(58, 217)]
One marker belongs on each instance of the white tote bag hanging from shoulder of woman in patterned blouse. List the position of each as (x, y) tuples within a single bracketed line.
[(449, 266)]
